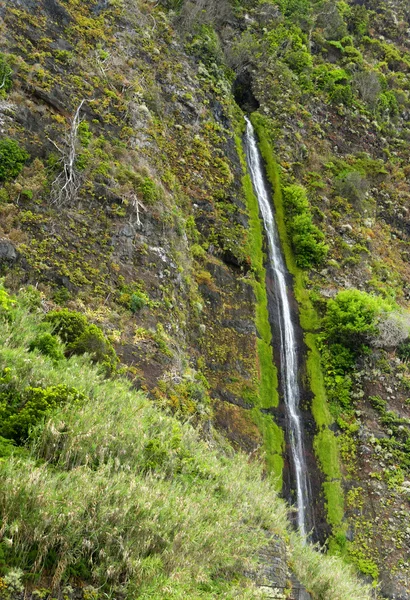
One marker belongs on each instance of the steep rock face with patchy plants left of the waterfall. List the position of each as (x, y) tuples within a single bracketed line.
[(150, 238)]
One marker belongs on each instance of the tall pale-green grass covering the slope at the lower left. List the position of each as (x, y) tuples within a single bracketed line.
[(117, 494)]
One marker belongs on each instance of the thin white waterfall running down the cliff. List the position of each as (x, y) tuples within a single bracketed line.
[(288, 349)]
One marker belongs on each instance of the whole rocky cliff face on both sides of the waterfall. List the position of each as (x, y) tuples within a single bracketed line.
[(132, 207)]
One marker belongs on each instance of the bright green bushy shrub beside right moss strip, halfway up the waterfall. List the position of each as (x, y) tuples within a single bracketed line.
[(307, 239)]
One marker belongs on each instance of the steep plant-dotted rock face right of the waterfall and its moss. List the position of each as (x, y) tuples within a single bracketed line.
[(350, 151)]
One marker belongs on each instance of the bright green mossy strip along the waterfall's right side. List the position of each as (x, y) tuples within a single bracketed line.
[(325, 442)]
